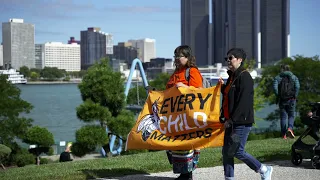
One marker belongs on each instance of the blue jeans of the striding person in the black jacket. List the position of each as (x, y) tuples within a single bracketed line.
[(228, 163)]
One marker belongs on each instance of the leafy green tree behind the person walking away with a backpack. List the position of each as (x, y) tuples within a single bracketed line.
[(304, 69)]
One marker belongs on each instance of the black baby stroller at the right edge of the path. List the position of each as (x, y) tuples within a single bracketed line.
[(310, 151)]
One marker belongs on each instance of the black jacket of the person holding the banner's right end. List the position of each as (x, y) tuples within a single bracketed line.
[(240, 98)]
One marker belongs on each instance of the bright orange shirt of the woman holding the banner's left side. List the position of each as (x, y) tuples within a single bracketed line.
[(195, 78)]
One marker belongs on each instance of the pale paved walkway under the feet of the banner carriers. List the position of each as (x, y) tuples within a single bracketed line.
[(282, 170)]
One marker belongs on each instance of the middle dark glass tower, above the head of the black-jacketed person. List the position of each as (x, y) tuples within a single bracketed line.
[(234, 26)]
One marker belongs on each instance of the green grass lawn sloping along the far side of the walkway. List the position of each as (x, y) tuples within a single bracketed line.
[(263, 150)]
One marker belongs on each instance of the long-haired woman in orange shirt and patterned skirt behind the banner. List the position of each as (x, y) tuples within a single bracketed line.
[(184, 162)]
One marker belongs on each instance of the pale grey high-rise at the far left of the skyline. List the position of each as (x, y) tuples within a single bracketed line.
[(18, 44)]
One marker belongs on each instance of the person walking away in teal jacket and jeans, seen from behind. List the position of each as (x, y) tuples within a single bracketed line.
[(287, 106)]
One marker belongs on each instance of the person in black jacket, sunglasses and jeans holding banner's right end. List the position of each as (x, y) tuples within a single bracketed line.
[(238, 116)]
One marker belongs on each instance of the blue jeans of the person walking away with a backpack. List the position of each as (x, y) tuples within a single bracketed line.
[(287, 110)]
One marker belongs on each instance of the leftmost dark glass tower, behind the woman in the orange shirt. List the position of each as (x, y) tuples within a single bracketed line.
[(195, 28)]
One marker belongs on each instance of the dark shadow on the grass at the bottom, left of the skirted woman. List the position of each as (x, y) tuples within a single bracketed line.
[(120, 173)]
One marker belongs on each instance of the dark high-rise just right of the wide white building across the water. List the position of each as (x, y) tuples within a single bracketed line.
[(93, 46)]
